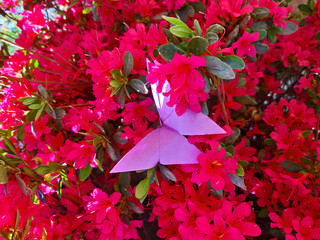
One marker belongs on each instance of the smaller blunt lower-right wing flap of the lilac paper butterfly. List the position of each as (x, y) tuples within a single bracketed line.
[(175, 148)]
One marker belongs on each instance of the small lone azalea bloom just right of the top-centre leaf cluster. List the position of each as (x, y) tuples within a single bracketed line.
[(244, 44)]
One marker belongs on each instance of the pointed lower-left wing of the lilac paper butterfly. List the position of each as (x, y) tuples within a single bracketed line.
[(144, 155)]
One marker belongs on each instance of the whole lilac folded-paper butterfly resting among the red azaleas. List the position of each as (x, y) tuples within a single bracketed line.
[(167, 144)]
